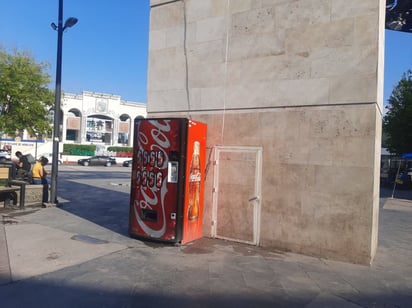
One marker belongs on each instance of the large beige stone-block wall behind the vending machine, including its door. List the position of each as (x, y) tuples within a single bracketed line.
[(292, 94)]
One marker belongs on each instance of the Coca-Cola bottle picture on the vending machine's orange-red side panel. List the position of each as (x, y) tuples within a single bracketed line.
[(194, 183)]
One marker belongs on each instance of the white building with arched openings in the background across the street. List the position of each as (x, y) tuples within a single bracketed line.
[(98, 118)]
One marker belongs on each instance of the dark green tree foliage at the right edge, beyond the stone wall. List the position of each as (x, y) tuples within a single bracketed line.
[(397, 123)]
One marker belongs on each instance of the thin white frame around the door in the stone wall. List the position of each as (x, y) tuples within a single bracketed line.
[(256, 199)]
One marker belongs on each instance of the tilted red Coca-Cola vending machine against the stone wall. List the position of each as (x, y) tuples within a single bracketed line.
[(168, 173)]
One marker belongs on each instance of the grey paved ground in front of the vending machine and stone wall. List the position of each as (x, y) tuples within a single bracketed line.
[(58, 259)]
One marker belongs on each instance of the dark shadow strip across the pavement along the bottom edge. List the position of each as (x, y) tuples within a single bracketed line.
[(44, 292)]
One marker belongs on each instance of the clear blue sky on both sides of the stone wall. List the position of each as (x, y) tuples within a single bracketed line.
[(107, 50)]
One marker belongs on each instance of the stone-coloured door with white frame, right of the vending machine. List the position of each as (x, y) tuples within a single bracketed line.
[(236, 194)]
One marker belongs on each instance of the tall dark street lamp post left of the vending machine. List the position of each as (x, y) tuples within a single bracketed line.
[(70, 22)]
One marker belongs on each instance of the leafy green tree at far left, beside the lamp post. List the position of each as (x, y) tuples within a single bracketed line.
[(25, 98)]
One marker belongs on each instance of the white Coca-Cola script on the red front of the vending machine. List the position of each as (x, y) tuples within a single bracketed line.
[(153, 145)]
